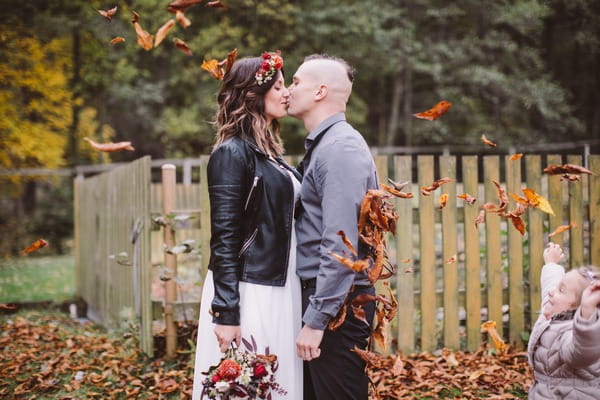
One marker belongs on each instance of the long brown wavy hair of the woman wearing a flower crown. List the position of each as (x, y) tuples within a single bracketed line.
[(241, 108)]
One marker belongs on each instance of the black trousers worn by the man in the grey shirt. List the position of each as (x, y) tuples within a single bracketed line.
[(339, 373)]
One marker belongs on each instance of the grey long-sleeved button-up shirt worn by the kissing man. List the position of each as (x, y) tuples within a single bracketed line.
[(339, 173)]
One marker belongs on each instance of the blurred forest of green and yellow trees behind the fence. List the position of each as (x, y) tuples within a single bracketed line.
[(521, 71)]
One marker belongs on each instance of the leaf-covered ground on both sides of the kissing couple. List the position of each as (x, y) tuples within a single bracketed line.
[(50, 356)]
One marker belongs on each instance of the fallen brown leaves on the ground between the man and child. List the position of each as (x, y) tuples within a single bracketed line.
[(450, 375)]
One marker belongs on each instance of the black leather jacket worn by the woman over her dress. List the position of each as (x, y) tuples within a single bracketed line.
[(251, 212)]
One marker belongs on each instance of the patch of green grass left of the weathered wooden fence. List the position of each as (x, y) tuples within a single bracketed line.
[(37, 279)]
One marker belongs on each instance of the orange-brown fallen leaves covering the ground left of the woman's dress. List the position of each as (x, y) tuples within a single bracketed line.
[(54, 356)]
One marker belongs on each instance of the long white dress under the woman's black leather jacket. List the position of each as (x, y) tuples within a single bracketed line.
[(271, 314)]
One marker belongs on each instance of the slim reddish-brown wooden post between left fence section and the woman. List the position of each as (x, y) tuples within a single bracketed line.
[(168, 186)]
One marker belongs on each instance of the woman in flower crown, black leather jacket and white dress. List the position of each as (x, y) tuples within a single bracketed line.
[(251, 289)]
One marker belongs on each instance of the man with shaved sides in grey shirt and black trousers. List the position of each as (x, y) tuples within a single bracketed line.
[(337, 169)]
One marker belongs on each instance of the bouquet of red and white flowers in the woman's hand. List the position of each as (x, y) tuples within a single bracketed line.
[(242, 374)]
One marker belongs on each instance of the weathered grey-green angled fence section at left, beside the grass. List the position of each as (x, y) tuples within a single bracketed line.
[(112, 242)]
